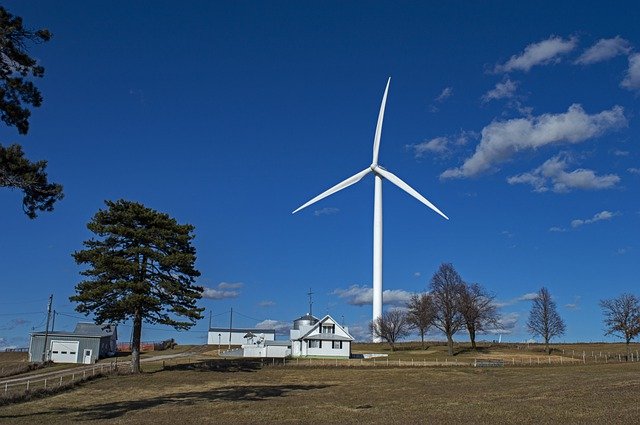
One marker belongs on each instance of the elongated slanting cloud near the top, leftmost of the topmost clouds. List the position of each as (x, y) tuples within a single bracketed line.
[(542, 53)]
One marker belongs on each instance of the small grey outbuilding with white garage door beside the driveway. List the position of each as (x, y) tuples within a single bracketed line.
[(86, 344)]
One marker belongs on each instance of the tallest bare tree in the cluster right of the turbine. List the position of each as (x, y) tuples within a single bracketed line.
[(446, 286)]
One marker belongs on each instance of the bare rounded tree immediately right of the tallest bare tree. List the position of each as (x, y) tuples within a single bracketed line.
[(478, 310)]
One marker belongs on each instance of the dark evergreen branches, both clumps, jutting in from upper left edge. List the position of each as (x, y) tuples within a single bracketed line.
[(17, 93)]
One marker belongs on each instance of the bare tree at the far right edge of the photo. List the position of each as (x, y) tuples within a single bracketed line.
[(622, 318)]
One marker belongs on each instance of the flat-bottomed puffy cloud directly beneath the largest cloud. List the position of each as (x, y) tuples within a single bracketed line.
[(552, 176)]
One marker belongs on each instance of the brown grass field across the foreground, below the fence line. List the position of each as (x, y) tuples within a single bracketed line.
[(573, 393)]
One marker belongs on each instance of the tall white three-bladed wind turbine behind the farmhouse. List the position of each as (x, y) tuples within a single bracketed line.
[(379, 174)]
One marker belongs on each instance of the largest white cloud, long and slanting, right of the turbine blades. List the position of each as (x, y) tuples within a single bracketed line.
[(502, 139)]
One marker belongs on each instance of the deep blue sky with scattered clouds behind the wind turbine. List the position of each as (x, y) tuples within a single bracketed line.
[(519, 121)]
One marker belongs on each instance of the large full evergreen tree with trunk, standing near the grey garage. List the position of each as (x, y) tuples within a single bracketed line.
[(141, 266)]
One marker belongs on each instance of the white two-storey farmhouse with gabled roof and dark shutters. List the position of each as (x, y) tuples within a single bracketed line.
[(311, 337)]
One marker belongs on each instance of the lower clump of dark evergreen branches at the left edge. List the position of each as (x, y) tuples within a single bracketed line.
[(18, 172)]
